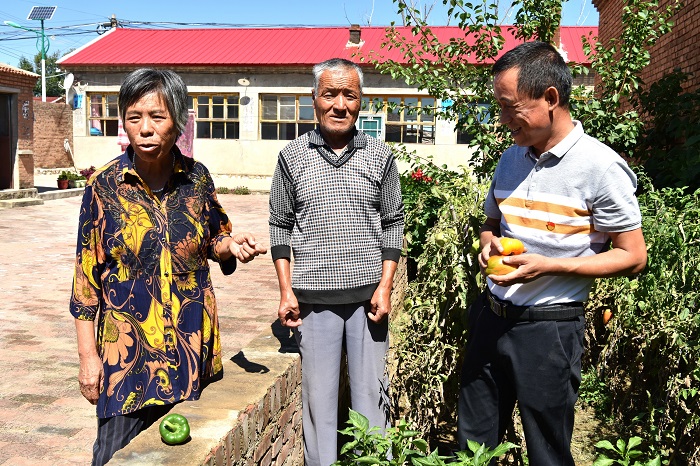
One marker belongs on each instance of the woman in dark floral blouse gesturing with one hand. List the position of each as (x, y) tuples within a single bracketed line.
[(149, 223)]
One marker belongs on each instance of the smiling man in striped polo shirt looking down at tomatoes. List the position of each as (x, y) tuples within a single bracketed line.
[(568, 198)]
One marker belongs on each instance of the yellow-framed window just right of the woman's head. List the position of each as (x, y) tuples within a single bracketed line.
[(216, 116)]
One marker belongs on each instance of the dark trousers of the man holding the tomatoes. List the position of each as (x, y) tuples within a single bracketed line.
[(537, 364)]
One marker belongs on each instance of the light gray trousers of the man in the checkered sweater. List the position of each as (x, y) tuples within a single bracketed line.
[(324, 330)]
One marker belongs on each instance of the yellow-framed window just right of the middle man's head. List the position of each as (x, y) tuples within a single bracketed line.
[(410, 120)]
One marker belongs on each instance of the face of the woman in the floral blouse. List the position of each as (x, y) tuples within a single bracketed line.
[(150, 127)]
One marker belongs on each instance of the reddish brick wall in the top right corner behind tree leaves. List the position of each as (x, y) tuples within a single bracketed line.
[(677, 49)]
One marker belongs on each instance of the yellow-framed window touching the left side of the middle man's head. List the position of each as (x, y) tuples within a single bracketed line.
[(285, 117)]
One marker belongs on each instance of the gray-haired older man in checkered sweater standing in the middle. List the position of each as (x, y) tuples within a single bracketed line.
[(336, 199)]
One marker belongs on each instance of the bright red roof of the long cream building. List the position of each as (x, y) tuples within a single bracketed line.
[(296, 46)]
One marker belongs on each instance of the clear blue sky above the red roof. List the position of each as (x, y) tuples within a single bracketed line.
[(76, 22)]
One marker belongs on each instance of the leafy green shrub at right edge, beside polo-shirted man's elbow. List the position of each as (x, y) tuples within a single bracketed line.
[(649, 355)]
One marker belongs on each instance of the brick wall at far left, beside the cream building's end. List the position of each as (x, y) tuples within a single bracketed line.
[(54, 124)]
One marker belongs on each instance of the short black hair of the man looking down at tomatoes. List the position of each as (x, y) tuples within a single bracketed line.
[(541, 66)]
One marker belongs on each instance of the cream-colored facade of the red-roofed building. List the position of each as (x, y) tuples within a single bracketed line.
[(248, 160)]
